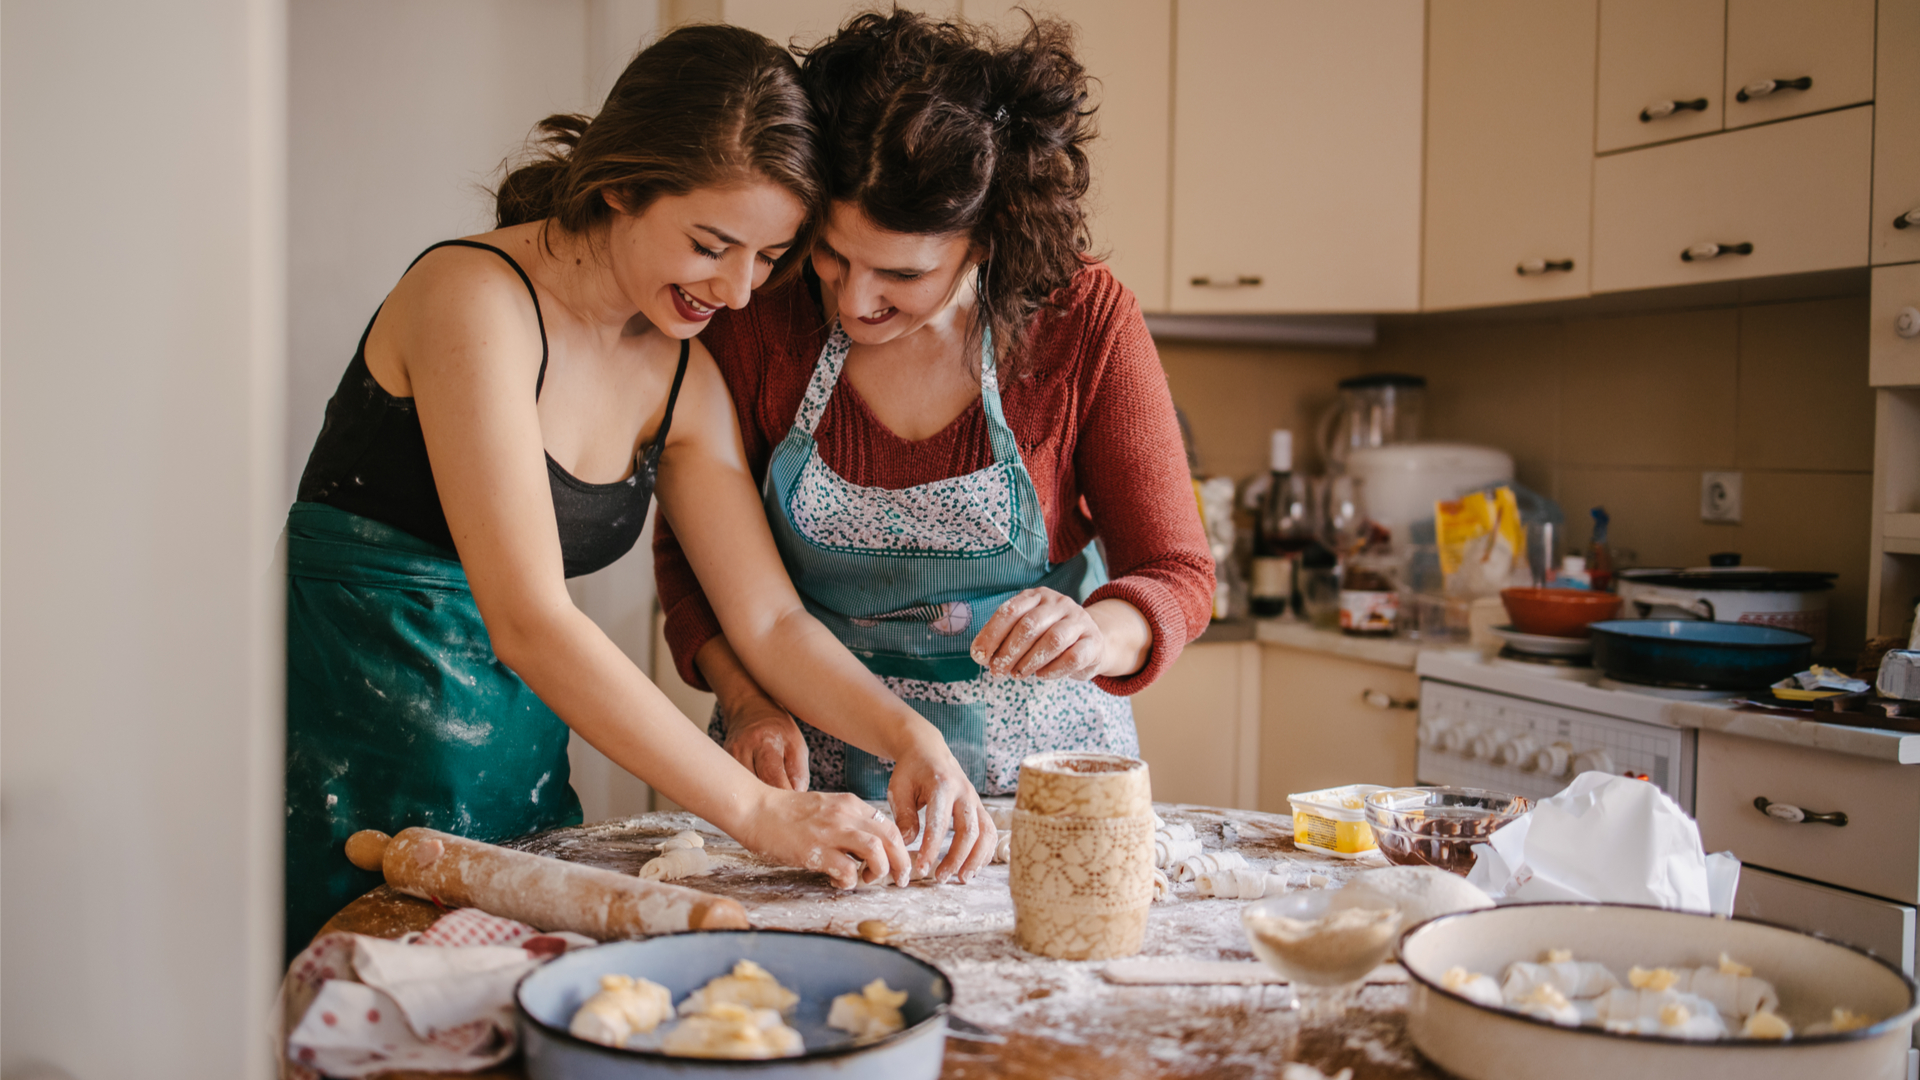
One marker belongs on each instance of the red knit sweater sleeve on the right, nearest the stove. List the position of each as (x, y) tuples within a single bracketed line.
[(1132, 470)]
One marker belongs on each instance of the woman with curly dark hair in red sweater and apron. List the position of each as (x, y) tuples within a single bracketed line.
[(946, 414)]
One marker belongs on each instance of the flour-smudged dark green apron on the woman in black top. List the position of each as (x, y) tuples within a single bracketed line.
[(398, 712)]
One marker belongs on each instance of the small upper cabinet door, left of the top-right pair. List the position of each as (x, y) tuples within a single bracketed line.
[(1662, 70)]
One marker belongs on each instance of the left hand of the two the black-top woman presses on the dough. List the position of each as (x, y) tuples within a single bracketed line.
[(836, 835)]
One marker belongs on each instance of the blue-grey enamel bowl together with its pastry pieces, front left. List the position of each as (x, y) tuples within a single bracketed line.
[(765, 1004)]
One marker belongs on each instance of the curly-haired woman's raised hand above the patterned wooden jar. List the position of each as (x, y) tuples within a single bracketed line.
[(1047, 635)]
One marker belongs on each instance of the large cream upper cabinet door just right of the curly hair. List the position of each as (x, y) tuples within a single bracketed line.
[(1297, 157)]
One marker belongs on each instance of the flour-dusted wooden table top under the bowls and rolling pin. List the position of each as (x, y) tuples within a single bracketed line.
[(1059, 1018)]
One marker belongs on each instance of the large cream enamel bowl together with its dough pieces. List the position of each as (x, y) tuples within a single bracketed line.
[(1602, 991)]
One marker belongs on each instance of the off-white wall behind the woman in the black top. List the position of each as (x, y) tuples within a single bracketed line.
[(400, 118)]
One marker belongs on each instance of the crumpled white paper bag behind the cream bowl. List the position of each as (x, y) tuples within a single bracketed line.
[(1606, 839)]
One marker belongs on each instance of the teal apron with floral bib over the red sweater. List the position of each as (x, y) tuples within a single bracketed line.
[(905, 579)]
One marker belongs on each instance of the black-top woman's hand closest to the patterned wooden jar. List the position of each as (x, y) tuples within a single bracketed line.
[(928, 781)]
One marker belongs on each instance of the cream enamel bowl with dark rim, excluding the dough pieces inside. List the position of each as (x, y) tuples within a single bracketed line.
[(1812, 975)]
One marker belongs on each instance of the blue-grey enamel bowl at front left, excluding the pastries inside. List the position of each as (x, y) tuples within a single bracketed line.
[(819, 968)]
